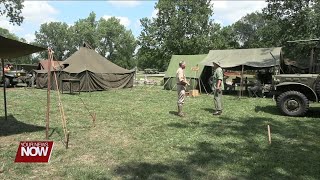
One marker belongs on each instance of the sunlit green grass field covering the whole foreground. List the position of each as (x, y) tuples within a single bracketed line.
[(138, 136)]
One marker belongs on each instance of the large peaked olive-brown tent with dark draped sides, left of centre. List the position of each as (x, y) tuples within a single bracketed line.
[(94, 71)]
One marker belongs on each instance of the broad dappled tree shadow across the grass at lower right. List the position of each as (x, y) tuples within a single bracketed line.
[(239, 149)]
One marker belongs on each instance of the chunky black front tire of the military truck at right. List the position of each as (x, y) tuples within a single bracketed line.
[(293, 103)]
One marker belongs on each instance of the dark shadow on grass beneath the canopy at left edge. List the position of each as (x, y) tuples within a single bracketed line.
[(12, 126)]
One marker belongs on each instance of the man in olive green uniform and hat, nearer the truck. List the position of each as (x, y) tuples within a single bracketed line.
[(217, 87)]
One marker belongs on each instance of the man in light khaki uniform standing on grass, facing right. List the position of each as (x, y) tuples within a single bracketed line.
[(181, 86)]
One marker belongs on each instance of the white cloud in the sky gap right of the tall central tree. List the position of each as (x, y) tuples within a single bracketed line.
[(228, 12)]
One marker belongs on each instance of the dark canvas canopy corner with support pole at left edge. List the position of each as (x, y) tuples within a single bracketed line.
[(11, 49)]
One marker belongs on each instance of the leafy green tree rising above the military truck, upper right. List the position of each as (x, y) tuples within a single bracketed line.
[(296, 20)]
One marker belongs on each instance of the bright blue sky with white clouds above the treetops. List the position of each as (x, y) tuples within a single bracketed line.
[(129, 13)]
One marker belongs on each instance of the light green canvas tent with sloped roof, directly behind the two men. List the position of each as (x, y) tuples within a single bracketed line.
[(192, 62)]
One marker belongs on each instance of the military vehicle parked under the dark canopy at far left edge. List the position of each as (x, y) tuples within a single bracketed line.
[(13, 77)]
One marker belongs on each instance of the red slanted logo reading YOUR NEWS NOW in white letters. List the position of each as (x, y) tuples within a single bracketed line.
[(34, 151)]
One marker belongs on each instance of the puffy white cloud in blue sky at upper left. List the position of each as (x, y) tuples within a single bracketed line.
[(38, 12)]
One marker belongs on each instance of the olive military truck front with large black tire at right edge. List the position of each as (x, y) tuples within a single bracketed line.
[(294, 92)]
